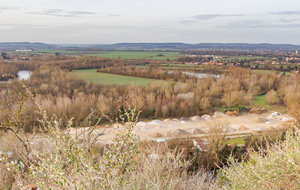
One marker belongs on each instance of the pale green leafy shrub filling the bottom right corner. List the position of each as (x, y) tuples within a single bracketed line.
[(276, 167)]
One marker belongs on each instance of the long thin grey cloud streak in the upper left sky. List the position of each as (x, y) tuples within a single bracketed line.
[(62, 13)]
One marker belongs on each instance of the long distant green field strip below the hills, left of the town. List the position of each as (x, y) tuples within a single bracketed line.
[(137, 55)]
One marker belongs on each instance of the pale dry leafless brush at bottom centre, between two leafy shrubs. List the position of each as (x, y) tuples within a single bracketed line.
[(162, 168)]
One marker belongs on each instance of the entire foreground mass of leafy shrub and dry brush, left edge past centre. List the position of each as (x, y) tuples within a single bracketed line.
[(68, 162)]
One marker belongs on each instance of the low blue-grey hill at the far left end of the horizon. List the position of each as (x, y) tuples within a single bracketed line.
[(24, 45)]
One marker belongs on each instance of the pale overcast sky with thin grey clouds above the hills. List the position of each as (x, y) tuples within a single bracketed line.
[(118, 21)]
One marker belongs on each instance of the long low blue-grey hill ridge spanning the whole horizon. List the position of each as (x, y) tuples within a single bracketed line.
[(150, 46)]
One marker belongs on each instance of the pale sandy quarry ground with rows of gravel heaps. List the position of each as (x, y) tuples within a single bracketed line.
[(197, 126)]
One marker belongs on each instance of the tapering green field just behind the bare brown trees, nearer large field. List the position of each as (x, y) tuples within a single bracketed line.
[(111, 79)]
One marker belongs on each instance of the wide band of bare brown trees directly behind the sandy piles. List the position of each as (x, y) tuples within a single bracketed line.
[(65, 95)]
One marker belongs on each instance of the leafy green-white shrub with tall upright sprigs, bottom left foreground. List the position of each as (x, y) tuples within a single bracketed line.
[(70, 165)]
